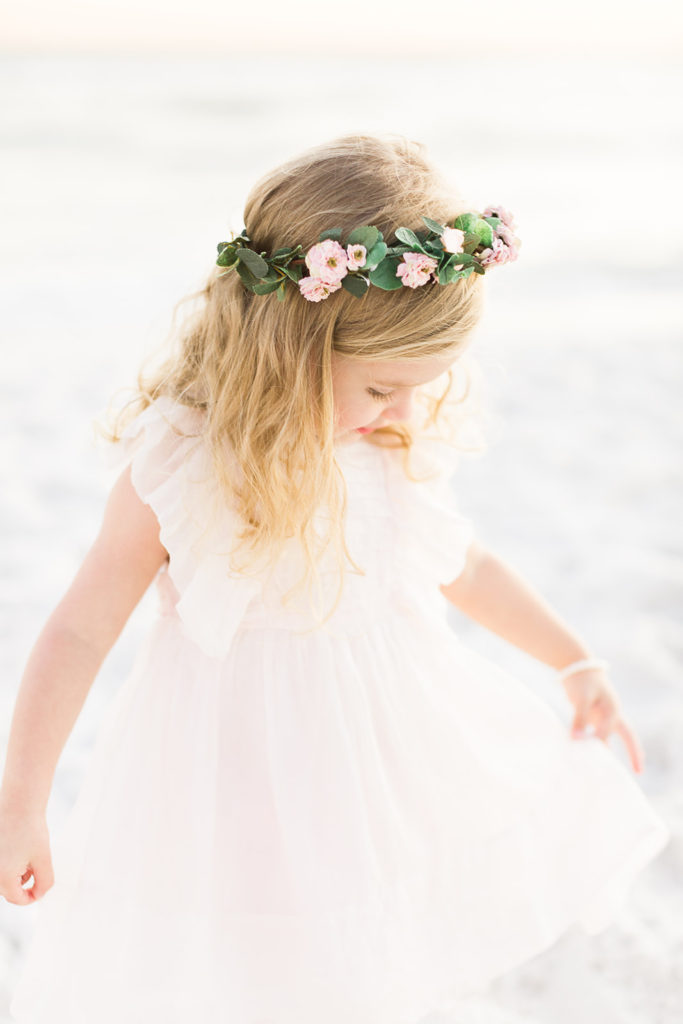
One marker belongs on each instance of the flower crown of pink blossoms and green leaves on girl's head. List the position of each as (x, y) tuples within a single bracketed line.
[(443, 254)]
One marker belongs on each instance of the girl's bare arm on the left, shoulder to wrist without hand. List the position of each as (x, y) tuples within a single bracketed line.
[(74, 643)]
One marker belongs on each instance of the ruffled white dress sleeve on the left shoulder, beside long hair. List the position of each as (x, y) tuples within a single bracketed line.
[(172, 473)]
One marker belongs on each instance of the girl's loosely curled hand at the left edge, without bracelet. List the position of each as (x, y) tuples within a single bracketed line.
[(25, 850)]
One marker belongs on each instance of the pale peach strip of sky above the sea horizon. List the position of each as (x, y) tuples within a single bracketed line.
[(631, 29)]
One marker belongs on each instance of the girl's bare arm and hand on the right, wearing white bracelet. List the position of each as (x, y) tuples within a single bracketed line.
[(494, 594)]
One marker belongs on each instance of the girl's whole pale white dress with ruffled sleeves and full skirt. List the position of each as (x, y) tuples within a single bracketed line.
[(358, 825)]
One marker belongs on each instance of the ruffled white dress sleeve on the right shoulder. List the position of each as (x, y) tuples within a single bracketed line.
[(434, 537)]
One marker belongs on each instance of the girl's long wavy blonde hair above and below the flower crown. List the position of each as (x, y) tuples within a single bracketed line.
[(262, 369)]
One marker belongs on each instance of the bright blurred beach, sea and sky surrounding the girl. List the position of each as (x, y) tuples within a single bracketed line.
[(132, 135)]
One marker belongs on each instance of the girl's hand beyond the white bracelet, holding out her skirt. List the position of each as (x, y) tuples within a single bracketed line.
[(596, 704)]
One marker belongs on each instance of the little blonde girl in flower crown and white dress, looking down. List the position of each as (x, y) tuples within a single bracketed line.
[(310, 802)]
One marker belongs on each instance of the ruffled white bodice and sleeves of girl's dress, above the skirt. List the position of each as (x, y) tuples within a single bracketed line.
[(408, 537)]
